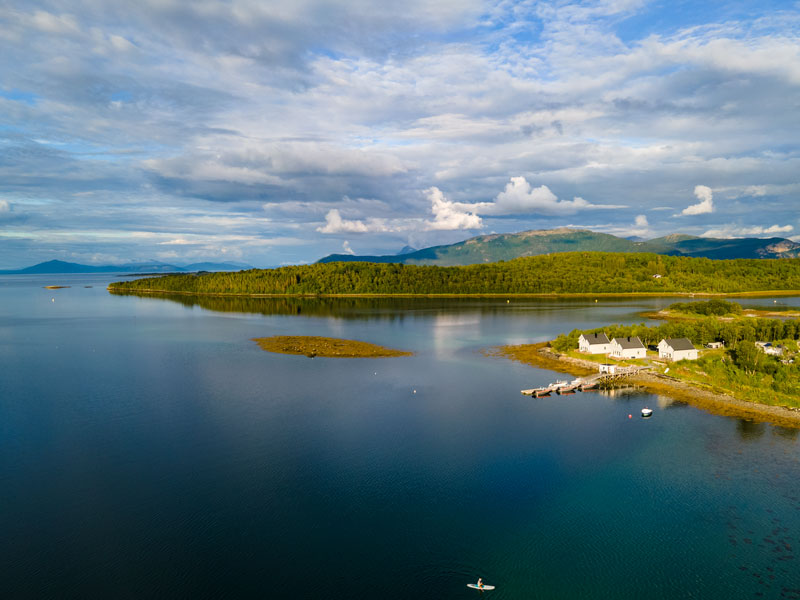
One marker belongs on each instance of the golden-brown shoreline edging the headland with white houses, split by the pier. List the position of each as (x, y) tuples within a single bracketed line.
[(541, 355)]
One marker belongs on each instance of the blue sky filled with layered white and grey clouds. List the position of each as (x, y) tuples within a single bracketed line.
[(271, 132)]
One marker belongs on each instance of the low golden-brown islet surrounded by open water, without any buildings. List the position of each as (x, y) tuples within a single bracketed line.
[(311, 346)]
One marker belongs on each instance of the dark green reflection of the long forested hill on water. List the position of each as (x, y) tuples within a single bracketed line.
[(392, 309)]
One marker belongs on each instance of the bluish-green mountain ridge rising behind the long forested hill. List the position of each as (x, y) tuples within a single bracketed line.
[(507, 246)]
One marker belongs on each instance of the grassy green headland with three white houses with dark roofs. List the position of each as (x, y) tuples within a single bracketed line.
[(715, 357)]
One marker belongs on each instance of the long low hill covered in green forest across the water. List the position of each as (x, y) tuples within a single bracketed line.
[(567, 273)]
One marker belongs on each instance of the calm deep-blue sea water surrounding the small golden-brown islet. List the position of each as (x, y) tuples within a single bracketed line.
[(149, 449)]
